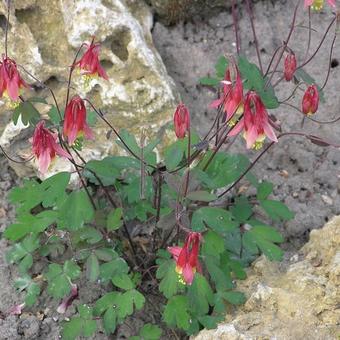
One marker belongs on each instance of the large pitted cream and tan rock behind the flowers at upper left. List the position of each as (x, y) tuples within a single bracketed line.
[(139, 93)]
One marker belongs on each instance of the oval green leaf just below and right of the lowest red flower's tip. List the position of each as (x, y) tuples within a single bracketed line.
[(200, 295)]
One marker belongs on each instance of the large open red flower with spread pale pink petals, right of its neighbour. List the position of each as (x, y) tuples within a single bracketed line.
[(255, 122)]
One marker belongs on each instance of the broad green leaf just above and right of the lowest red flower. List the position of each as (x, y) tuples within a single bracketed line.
[(218, 219)]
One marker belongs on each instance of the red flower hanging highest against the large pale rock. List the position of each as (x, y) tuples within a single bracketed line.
[(90, 64)]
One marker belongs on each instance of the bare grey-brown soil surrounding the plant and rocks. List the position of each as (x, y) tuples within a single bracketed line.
[(306, 177)]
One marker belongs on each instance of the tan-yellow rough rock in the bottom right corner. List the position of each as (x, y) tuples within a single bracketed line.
[(297, 300)]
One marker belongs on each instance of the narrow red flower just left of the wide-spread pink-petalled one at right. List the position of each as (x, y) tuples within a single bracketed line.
[(232, 96)]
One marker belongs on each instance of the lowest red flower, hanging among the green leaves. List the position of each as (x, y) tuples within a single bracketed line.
[(186, 257)]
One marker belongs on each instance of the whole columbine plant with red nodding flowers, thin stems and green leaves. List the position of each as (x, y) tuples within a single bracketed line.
[(141, 227)]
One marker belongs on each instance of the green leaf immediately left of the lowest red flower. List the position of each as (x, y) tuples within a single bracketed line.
[(169, 284)]
